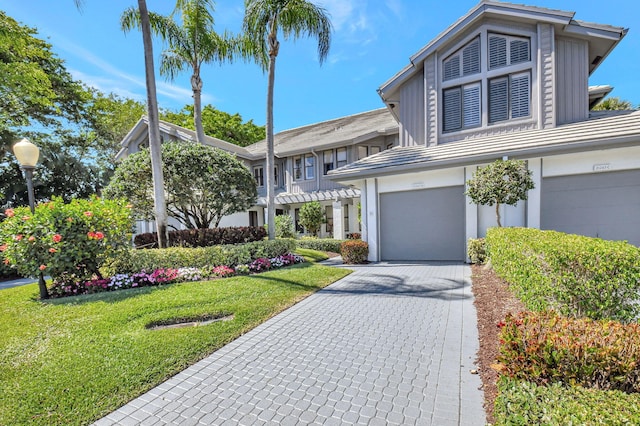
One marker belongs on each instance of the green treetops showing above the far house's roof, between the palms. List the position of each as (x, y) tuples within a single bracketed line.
[(219, 124)]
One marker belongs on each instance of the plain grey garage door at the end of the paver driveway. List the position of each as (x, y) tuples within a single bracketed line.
[(426, 224)]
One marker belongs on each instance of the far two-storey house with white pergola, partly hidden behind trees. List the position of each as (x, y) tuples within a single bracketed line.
[(303, 158)]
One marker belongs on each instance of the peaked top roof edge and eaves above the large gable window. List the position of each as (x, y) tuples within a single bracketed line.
[(603, 38)]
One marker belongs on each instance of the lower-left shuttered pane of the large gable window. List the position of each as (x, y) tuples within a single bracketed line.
[(462, 107)]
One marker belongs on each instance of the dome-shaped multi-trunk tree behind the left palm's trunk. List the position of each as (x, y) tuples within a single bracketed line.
[(203, 184)]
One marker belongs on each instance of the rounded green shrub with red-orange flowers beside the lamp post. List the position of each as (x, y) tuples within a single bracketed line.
[(69, 242)]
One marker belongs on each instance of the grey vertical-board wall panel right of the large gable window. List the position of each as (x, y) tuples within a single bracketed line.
[(572, 77)]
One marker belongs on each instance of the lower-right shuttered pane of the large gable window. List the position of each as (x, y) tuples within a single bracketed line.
[(509, 97)]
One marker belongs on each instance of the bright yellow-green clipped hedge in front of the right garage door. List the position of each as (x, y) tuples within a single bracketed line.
[(574, 275)]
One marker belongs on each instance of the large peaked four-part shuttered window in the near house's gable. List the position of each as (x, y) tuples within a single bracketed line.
[(501, 84)]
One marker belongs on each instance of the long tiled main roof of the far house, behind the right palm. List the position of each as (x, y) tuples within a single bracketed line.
[(352, 129)]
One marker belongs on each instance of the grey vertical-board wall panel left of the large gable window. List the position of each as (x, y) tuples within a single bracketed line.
[(412, 112)]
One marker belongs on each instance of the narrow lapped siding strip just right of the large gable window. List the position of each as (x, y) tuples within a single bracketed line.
[(546, 75)]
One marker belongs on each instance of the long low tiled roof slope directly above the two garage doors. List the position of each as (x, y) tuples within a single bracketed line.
[(604, 129)]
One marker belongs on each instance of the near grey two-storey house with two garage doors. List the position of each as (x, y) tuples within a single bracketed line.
[(503, 81)]
